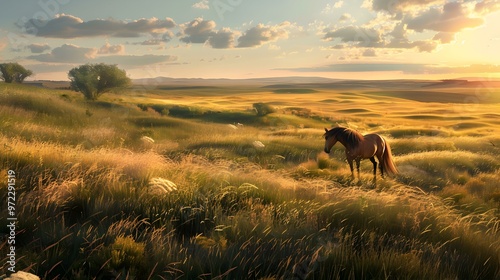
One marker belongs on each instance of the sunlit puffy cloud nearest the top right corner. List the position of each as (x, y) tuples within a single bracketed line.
[(453, 17)]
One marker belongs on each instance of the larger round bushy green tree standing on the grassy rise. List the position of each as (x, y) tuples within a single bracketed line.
[(95, 79)]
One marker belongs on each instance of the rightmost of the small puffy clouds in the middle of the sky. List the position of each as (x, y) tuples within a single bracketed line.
[(262, 34)]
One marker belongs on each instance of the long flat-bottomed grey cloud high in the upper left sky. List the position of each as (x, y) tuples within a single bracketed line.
[(68, 26)]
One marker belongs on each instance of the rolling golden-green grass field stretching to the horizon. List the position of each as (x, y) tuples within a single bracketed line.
[(189, 182)]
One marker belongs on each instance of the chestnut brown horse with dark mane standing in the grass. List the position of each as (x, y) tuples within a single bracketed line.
[(358, 146)]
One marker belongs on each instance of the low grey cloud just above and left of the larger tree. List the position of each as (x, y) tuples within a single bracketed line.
[(67, 53)]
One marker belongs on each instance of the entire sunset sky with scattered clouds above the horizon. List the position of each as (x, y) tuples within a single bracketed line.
[(358, 39)]
